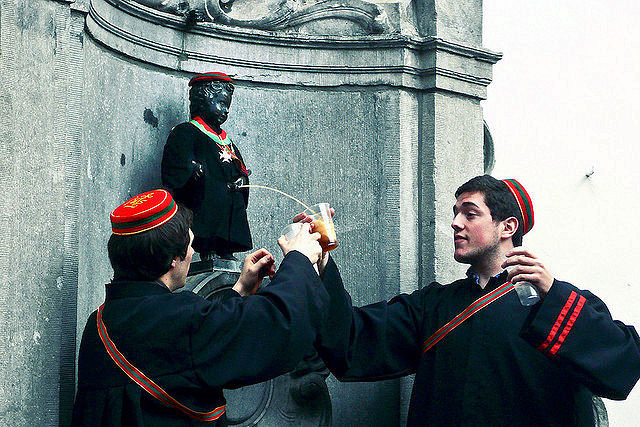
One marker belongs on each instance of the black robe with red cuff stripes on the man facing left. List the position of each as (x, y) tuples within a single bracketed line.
[(506, 365)]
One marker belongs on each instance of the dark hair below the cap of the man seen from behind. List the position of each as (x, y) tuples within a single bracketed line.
[(148, 255)]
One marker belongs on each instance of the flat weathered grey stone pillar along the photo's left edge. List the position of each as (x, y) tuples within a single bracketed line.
[(38, 292)]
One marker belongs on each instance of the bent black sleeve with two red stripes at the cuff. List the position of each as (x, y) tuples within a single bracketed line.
[(575, 329)]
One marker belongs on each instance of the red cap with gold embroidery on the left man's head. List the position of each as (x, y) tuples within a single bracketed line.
[(143, 212)]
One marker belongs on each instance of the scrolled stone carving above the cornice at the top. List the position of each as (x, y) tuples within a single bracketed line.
[(319, 17)]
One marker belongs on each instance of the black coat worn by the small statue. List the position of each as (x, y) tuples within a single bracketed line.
[(220, 217)]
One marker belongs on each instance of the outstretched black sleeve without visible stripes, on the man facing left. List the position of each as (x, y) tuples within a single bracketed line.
[(373, 342)]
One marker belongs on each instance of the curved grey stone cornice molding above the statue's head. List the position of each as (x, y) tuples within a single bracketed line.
[(161, 38)]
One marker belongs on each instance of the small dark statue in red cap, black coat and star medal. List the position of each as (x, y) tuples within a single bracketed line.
[(203, 169)]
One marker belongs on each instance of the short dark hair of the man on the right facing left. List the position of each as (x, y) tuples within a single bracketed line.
[(498, 198)]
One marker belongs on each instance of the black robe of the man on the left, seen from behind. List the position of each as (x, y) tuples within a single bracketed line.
[(192, 347)]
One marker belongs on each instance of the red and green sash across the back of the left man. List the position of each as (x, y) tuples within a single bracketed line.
[(146, 383)]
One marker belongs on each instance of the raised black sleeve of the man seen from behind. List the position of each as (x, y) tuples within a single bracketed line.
[(241, 341)]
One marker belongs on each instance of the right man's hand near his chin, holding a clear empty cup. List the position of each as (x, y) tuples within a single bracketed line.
[(526, 267)]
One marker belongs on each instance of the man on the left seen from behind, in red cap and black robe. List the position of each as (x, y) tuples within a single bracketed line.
[(153, 357)]
